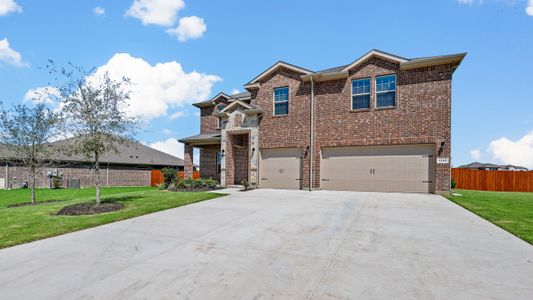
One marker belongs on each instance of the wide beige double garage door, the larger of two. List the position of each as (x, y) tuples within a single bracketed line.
[(378, 169)]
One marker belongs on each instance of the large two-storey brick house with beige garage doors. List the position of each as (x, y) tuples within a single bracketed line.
[(380, 123)]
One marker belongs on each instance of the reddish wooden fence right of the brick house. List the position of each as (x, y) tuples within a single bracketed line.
[(503, 181)]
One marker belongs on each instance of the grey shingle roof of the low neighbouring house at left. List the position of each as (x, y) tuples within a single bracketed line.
[(128, 153)]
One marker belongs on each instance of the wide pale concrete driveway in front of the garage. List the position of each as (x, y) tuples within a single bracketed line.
[(273, 244)]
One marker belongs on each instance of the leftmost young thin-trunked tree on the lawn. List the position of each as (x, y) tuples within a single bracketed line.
[(27, 132)]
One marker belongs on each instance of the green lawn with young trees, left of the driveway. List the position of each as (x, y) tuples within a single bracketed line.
[(25, 224)]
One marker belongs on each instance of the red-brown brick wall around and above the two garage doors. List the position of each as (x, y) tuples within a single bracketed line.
[(422, 114)]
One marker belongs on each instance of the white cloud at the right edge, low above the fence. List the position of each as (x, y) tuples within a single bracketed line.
[(518, 152)]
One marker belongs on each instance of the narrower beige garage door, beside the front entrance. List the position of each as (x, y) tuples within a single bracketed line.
[(281, 168)]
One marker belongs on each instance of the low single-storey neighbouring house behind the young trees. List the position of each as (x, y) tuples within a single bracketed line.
[(131, 165)]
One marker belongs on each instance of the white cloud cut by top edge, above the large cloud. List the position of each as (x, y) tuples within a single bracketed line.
[(156, 12)]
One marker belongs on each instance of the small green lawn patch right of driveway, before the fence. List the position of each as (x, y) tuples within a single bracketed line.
[(511, 211)]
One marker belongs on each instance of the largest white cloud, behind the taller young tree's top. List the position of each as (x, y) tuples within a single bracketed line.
[(156, 88)]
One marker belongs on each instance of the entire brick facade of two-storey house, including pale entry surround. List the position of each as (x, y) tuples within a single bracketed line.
[(422, 115)]
